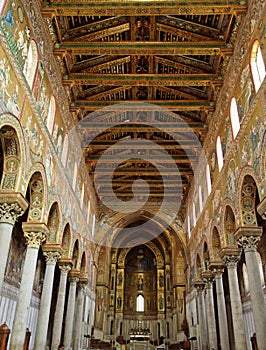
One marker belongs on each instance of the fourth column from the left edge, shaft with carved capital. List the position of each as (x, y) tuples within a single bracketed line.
[(64, 267)]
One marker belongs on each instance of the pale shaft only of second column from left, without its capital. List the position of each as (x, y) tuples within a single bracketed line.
[(25, 292)]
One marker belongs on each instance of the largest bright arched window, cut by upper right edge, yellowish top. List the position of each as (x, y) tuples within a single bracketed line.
[(257, 65)]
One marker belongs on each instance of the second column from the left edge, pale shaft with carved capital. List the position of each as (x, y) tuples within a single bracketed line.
[(35, 233)]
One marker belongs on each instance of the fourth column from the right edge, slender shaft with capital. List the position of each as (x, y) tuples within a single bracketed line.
[(207, 277)]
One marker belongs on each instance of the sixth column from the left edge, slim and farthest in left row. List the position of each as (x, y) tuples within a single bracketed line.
[(79, 314)]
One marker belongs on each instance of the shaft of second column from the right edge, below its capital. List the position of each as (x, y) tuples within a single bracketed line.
[(236, 307)]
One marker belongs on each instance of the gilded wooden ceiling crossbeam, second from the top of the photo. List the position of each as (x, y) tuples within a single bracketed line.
[(213, 48)]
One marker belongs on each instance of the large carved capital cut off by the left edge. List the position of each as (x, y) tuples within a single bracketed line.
[(12, 205)]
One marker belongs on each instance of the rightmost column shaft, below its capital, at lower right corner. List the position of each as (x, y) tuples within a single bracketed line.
[(256, 296)]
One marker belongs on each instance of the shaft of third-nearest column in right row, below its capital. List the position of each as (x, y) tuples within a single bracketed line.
[(223, 326)]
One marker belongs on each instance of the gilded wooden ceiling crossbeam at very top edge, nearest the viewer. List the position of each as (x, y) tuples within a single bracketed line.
[(139, 7)]
